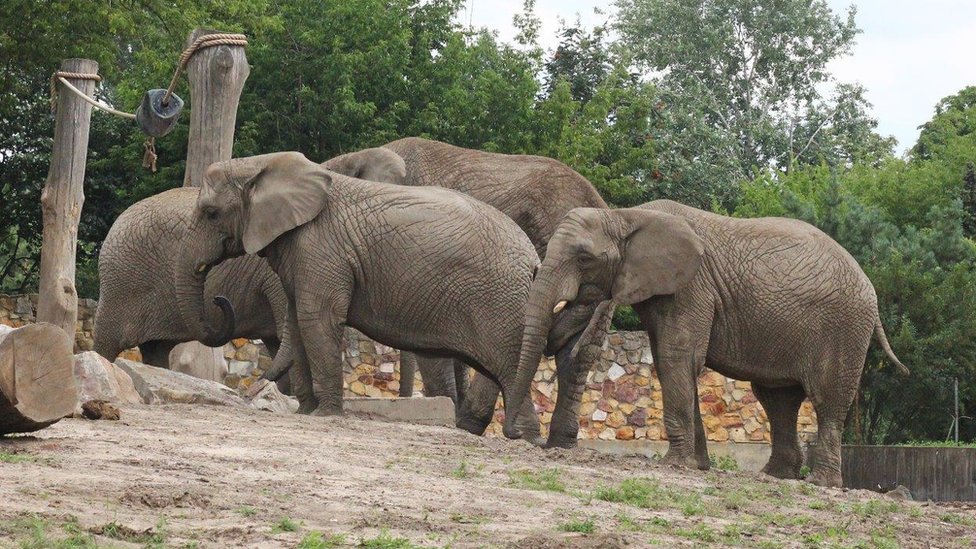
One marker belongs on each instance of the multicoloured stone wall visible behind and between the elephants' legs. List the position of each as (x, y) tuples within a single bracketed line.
[(622, 400)]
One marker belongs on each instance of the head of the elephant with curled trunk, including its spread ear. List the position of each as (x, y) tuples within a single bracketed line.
[(243, 206)]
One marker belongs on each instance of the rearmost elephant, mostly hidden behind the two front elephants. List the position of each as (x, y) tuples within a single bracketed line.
[(535, 192)]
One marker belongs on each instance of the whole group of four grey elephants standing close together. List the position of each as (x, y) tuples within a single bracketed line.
[(464, 258)]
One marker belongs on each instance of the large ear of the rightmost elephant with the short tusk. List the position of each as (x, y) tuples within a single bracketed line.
[(660, 254)]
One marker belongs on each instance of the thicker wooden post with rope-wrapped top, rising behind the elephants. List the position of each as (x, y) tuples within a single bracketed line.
[(216, 76)]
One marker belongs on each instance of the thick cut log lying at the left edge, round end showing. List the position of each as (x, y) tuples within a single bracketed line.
[(37, 382)]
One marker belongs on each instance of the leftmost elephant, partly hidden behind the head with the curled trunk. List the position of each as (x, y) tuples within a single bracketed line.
[(137, 303)]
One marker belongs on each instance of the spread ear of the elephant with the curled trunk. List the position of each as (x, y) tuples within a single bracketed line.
[(287, 191)]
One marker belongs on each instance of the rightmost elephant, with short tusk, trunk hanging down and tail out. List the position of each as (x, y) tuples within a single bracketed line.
[(773, 301)]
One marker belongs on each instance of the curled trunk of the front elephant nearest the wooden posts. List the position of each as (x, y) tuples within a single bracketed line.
[(191, 277)]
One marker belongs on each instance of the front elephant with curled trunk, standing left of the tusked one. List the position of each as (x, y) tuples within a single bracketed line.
[(331, 239)]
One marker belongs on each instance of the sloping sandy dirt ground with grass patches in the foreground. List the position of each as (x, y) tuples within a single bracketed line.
[(203, 476)]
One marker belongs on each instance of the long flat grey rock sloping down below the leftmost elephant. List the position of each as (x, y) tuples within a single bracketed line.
[(159, 386)]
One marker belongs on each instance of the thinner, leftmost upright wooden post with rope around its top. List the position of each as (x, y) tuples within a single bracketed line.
[(62, 199)]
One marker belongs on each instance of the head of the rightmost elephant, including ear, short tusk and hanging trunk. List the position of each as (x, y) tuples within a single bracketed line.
[(627, 255)]
